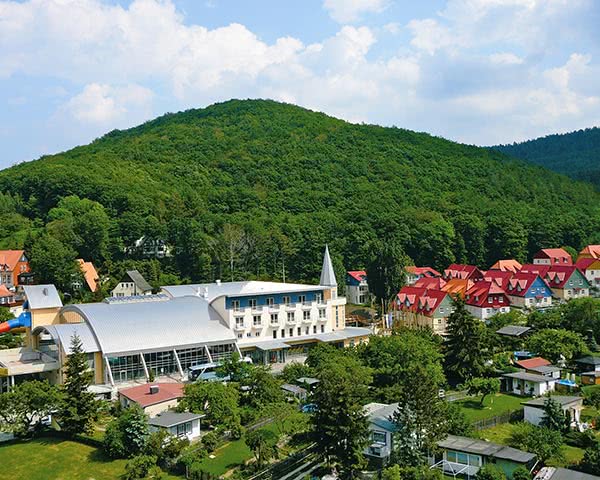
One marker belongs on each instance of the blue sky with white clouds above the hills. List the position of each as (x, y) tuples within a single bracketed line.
[(475, 71)]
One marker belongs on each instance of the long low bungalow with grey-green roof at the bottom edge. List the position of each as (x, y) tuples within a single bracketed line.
[(464, 456)]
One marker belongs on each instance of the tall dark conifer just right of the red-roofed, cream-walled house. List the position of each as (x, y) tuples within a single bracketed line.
[(467, 347)]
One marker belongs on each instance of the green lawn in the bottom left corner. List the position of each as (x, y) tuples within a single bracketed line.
[(57, 459)]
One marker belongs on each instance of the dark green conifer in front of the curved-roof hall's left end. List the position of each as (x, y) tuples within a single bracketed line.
[(79, 408)]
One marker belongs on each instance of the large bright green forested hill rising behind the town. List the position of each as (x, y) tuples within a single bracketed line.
[(262, 183)]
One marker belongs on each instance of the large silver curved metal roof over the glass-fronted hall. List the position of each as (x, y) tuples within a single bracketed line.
[(125, 328)]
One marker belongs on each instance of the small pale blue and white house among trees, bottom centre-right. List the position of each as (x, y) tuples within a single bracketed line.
[(381, 432)]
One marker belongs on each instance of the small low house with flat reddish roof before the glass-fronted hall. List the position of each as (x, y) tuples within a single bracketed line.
[(153, 398)]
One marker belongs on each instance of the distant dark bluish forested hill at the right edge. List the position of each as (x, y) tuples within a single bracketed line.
[(576, 154)]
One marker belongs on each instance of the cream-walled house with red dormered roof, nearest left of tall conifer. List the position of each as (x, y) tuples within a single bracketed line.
[(422, 307)]
